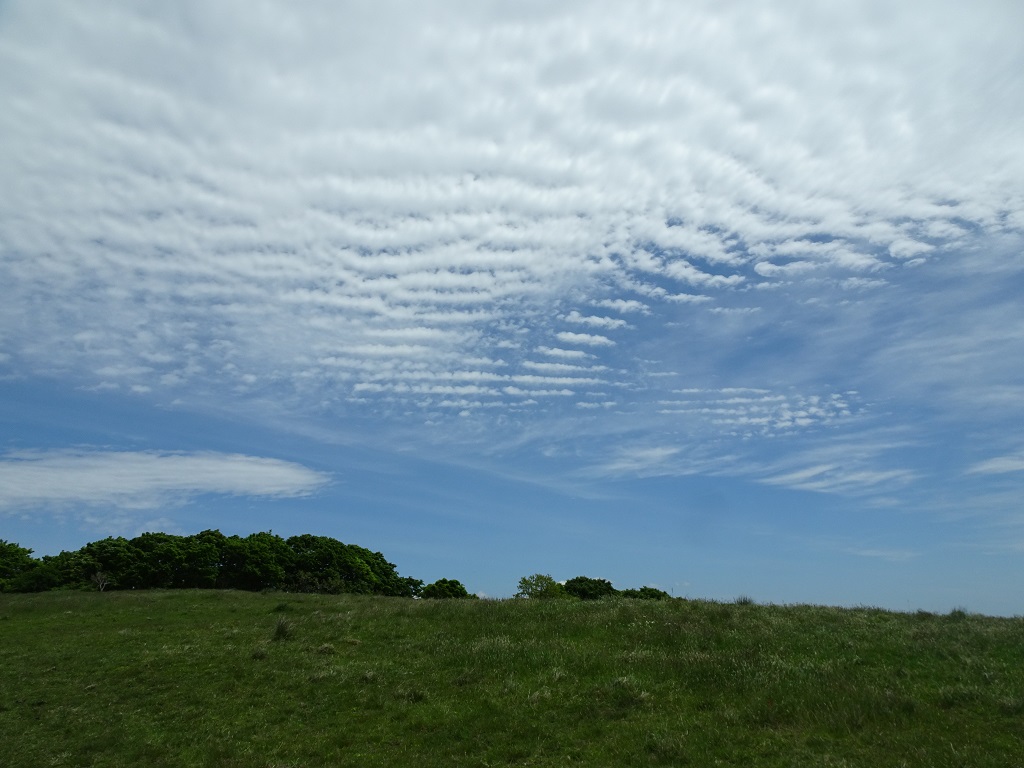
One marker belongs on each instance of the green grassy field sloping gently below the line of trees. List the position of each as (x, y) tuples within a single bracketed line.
[(242, 679)]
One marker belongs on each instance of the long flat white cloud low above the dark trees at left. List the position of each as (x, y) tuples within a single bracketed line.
[(144, 480)]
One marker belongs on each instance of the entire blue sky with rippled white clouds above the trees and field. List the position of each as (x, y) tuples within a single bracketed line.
[(721, 298)]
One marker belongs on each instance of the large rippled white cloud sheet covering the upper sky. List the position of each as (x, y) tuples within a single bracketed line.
[(485, 164)]
